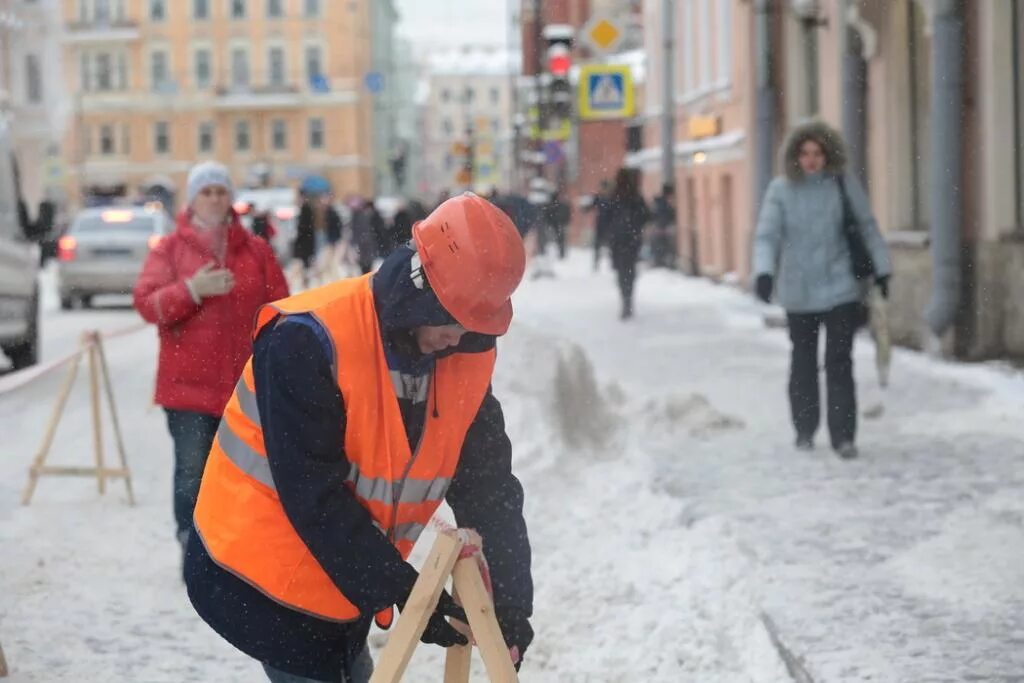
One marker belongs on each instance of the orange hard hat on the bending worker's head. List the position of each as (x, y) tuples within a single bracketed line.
[(474, 258)]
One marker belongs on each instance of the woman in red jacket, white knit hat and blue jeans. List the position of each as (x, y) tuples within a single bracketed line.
[(202, 287)]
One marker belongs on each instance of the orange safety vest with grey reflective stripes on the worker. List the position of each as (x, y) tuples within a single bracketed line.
[(239, 516)]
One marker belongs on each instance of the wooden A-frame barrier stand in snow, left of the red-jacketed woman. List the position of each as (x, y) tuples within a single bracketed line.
[(99, 372)]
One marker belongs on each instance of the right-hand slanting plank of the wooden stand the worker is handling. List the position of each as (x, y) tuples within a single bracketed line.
[(481, 612)]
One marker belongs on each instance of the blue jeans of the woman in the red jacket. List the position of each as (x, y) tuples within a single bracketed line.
[(193, 435)]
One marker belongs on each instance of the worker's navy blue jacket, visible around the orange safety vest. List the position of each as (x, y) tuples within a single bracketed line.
[(304, 417)]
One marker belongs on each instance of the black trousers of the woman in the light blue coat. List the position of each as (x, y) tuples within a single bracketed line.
[(841, 326)]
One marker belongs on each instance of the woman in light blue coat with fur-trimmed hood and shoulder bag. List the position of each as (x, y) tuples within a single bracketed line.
[(803, 251)]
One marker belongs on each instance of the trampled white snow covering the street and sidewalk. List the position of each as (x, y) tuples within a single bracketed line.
[(671, 518)]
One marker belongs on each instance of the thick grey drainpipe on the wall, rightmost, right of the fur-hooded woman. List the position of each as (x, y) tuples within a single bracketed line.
[(947, 172)]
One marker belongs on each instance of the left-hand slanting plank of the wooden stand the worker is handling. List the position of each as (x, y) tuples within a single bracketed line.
[(422, 602)]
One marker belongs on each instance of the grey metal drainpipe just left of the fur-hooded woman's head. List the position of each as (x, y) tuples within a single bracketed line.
[(765, 140)]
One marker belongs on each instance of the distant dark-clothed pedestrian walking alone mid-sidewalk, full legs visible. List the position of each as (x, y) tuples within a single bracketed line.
[(629, 217)]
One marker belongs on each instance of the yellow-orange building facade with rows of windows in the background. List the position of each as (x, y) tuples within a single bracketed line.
[(271, 88)]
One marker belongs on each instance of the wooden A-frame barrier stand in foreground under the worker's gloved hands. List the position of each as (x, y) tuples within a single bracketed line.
[(443, 563)]
